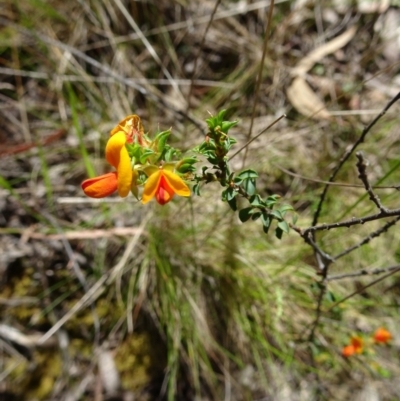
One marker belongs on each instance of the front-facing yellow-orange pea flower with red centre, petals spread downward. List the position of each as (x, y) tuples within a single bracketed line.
[(163, 184)]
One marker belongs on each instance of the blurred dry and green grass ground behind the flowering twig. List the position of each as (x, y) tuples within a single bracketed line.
[(114, 300)]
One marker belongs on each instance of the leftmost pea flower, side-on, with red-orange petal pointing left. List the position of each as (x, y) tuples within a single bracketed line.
[(121, 180)]
